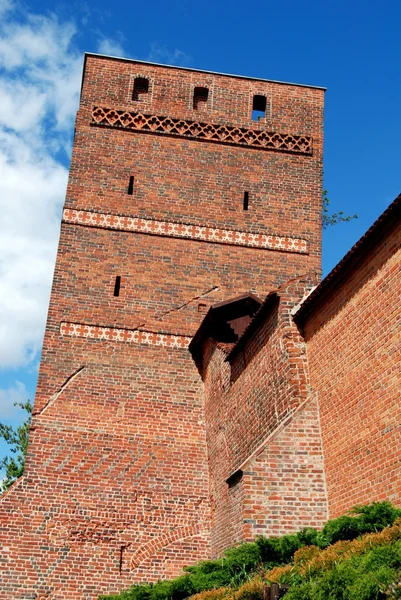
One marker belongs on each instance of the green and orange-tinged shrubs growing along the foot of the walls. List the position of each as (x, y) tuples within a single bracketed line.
[(239, 564)]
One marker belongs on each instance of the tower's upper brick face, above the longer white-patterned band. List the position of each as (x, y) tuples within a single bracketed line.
[(194, 181)]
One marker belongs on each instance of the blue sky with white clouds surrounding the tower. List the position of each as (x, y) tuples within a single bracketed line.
[(352, 48)]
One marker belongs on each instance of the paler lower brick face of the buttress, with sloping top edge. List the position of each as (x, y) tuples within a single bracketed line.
[(284, 483)]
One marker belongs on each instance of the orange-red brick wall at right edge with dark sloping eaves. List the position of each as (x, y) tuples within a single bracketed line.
[(353, 344)]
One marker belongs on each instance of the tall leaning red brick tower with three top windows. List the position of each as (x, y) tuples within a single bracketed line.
[(186, 188)]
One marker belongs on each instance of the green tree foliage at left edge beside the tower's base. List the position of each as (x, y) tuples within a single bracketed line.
[(18, 442)]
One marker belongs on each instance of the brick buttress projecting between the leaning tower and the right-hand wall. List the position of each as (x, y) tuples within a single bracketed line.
[(261, 420)]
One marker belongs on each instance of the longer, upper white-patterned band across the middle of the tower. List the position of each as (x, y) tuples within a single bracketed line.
[(181, 230)]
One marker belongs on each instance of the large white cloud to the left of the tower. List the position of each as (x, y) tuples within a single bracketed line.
[(40, 71)]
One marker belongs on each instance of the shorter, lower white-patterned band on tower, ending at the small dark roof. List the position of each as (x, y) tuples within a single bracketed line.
[(133, 336)]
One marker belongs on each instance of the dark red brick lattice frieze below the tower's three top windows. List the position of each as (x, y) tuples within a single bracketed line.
[(238, 136)]
